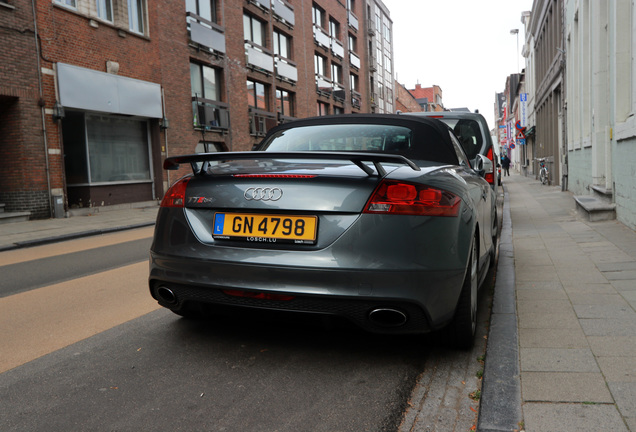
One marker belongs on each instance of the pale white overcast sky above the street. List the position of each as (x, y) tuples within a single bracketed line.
[(463, 46)]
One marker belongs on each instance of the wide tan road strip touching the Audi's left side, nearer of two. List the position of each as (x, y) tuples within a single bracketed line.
[(41, 321)]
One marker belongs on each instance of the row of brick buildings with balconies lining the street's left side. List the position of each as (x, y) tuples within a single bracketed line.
[(127, 83)]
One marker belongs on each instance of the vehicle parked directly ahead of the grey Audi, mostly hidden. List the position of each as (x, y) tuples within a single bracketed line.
[(474, 135)]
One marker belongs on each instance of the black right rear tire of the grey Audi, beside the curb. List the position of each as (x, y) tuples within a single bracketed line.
[(461, 331)]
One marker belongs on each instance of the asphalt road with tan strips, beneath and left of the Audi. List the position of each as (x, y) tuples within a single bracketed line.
[(84, 347)]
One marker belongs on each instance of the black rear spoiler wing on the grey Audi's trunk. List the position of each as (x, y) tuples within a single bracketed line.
[(358, 159)]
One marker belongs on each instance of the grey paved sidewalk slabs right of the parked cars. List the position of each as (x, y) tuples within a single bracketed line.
[(576, 298)]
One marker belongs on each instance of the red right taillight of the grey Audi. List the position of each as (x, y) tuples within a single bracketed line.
[(393, 197)]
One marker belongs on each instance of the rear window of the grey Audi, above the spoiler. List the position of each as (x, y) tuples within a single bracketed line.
[(420, 143)]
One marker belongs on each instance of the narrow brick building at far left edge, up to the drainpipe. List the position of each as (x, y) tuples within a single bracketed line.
[(23, 178)]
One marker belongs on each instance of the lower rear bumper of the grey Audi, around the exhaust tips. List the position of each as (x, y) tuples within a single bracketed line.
[(426, 299)]
